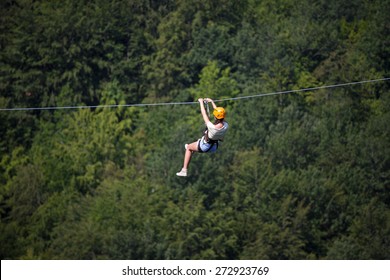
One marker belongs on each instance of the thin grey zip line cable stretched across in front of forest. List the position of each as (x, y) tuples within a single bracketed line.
[(193, 102)]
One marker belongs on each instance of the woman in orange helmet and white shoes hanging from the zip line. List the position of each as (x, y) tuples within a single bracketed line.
[(214, 133)]
